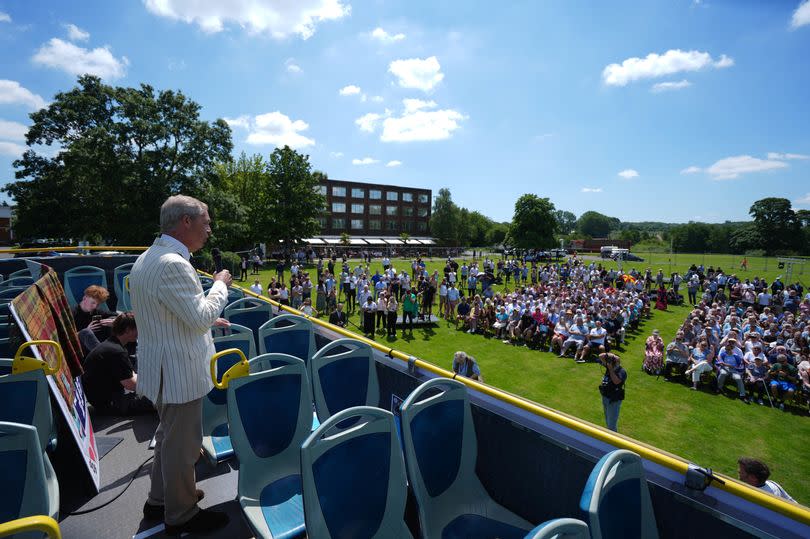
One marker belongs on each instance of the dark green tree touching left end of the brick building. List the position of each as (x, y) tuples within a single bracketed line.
[(293, 203)]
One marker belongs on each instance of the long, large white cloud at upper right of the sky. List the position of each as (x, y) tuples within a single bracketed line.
[(660, 65)]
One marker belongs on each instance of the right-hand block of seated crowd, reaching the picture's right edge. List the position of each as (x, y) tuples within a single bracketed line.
[(749, 332)]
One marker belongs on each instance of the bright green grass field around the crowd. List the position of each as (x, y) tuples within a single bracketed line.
[(710, 430)]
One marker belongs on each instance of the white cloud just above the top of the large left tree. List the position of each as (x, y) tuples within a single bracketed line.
[(76, 60)]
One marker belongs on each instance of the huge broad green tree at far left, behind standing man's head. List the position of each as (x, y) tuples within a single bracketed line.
[(115, 155)]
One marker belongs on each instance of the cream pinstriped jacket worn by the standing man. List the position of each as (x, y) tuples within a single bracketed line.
[(174, 319)]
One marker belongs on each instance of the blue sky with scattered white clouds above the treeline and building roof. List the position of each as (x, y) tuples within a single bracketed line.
[(669, 110)]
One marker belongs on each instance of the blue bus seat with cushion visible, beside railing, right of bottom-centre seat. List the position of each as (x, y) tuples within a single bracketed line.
[(440, 454)]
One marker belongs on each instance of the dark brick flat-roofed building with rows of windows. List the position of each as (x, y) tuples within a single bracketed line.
[(359, 209)]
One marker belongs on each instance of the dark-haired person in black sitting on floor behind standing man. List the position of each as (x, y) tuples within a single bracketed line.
[(108, 372)]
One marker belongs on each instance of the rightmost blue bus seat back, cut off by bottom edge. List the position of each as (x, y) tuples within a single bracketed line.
[(616, 499)]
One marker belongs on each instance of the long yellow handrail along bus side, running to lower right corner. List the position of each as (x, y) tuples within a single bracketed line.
[(651, 453)]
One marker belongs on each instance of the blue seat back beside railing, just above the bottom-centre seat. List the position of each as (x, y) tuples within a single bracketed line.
[(343, 375)]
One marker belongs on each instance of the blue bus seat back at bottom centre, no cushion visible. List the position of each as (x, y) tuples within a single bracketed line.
[(354, 477)]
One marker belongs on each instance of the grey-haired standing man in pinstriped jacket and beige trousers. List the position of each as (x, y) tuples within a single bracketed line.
[(174, 346)]
